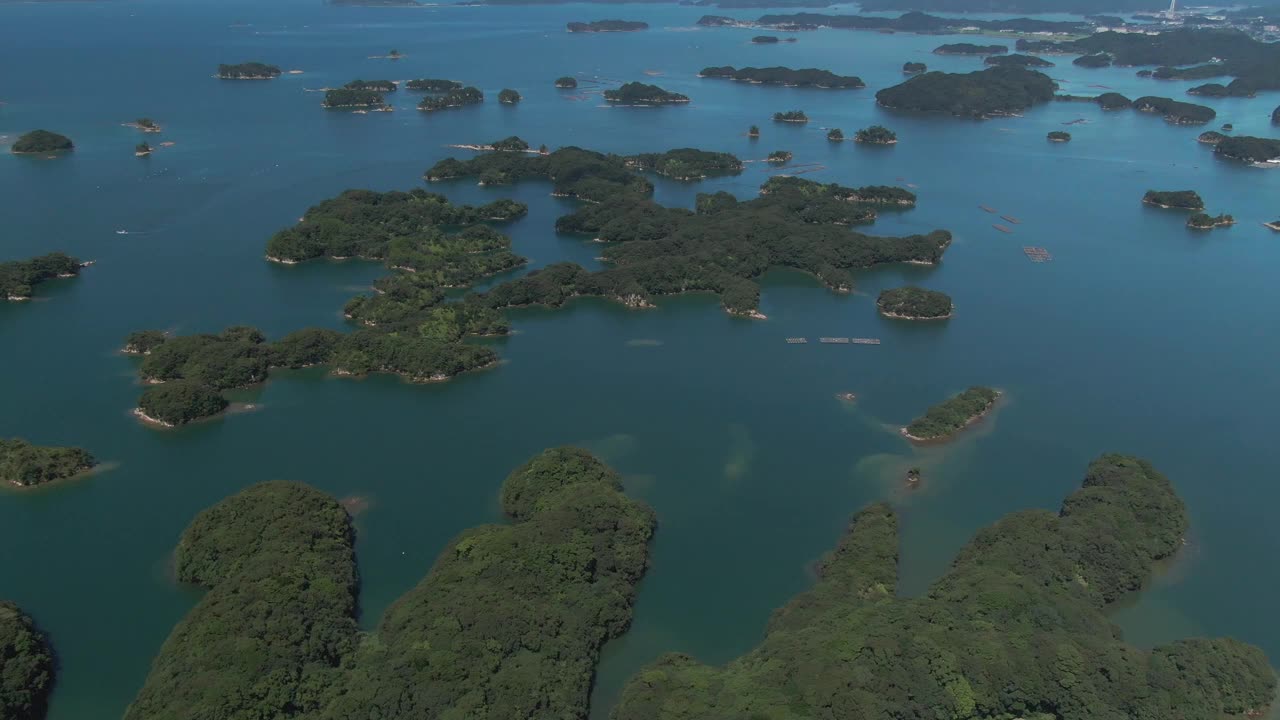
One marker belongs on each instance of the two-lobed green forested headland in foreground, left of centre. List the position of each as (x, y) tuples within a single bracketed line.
[(509, 623)]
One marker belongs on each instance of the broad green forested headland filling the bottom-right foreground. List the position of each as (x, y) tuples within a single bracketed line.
[(1016, 628)]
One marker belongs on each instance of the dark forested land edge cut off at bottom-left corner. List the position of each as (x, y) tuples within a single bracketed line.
[(28, 667)]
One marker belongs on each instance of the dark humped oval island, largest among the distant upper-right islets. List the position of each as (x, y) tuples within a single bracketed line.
[(982, 94)]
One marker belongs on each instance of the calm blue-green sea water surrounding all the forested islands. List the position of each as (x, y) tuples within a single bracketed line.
[(1141, 336)]
